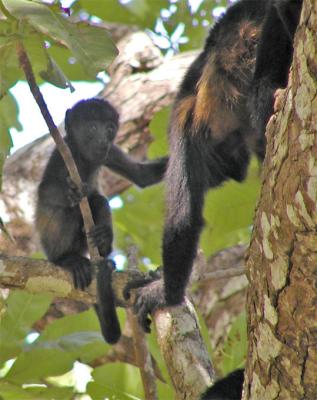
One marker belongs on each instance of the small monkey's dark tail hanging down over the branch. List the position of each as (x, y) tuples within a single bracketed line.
[(105, 307)]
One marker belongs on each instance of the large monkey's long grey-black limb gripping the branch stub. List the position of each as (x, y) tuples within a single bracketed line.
[(187, 179)]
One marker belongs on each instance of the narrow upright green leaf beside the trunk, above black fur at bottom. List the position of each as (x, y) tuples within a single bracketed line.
[(235, 347)]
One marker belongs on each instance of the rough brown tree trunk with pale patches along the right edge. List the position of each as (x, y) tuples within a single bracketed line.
[(282, 259)]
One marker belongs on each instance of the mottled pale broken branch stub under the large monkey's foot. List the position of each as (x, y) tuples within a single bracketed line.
[(183, 350)]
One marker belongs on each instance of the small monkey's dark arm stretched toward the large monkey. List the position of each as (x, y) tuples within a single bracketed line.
[(142, 173)]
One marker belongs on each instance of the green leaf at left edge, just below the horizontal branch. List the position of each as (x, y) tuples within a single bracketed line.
[(23, 309)]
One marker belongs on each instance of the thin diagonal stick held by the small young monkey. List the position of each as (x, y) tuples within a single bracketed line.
[(59, 141)]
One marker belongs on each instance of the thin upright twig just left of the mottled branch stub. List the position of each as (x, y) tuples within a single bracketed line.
[(142, 354)]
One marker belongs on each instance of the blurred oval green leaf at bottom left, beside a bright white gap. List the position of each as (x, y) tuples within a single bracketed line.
[(33, 365)]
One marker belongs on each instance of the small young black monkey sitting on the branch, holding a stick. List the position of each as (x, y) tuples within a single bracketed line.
[(91, 126)]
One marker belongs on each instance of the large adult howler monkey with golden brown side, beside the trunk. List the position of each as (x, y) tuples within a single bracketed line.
[(219, 118)]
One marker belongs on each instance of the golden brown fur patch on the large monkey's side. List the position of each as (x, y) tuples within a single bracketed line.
[(223, 85)]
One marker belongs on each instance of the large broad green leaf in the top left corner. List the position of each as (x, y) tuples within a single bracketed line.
[(90, 45)]
